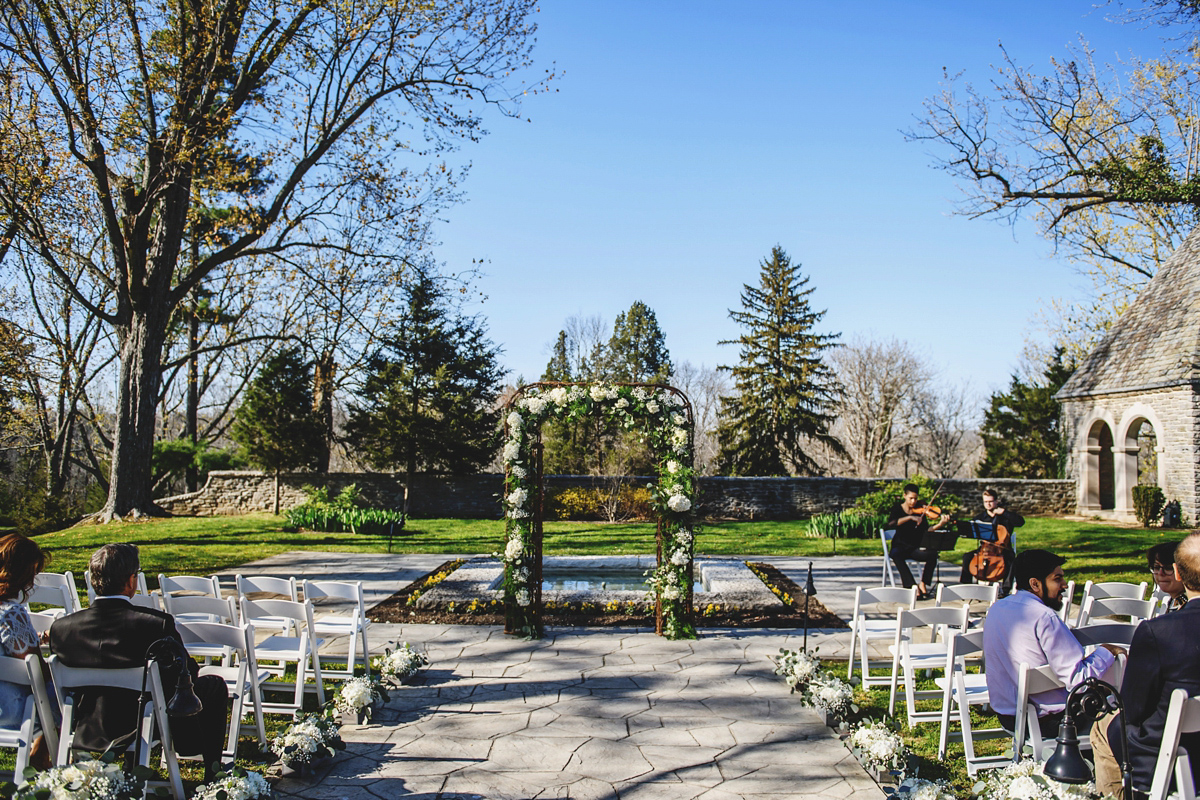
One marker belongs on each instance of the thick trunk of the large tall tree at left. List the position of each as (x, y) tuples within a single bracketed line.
[(141, 348)]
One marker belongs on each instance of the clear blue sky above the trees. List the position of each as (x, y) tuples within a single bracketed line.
[(685, 140)]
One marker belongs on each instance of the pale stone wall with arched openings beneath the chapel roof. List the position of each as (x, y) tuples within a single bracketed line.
[(1173, 412)]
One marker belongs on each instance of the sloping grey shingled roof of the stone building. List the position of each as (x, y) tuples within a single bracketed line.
[(1156, 342)]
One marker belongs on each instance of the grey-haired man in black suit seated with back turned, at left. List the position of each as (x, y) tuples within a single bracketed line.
[(115, 634)]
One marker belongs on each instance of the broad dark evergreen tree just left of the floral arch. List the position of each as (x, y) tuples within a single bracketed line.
[(429, 393)]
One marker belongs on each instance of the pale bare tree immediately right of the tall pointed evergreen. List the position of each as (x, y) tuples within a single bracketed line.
[(880, 382)]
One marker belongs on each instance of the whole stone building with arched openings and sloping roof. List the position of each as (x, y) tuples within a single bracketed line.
[(1132, 411)]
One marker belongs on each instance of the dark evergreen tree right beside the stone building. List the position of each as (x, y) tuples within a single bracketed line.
[(1022, 429)]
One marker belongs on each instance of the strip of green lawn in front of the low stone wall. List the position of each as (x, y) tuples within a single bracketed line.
[(200, 546)]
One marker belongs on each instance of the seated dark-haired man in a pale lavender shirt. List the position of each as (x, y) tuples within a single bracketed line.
[(1024, 628)]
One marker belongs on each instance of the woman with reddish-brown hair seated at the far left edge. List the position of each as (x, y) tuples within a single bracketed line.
[(21, 561)]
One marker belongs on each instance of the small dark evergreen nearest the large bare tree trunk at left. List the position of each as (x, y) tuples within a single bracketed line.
[(275, 424)]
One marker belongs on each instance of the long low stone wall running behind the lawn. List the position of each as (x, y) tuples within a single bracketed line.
[(478, 496)]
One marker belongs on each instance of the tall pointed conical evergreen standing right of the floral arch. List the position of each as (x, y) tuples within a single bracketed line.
[(785, 393)]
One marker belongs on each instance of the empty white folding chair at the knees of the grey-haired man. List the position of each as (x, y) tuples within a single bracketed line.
[(241, 672)]
